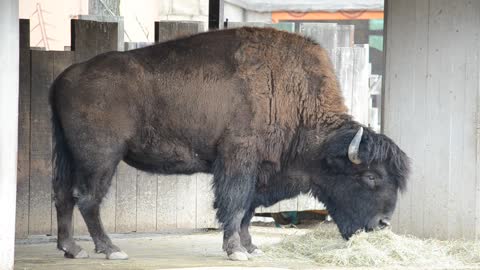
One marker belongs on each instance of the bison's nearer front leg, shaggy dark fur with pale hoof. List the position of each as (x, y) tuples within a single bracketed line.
[(234, 185)]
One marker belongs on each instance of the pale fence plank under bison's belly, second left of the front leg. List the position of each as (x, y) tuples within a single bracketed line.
[(186, 201)]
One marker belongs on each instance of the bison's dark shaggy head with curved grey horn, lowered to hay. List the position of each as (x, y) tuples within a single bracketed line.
[(358, 174)]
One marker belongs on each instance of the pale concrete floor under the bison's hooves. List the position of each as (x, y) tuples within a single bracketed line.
[(154, 251)]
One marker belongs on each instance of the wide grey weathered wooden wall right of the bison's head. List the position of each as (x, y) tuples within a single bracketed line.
[(431, 108)]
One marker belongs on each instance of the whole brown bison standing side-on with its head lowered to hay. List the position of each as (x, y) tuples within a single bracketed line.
[(260, 109)]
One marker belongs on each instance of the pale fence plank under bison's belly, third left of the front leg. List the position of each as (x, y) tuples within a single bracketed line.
[(166, 202)]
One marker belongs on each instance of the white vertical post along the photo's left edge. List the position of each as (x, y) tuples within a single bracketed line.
[(9, 131)]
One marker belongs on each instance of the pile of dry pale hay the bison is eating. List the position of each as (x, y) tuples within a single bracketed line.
[(324, 246)]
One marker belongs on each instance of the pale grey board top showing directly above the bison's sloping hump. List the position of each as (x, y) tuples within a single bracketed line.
[(323, 33)]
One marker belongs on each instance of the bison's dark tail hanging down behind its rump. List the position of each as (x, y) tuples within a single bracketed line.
[(61, 158)]
